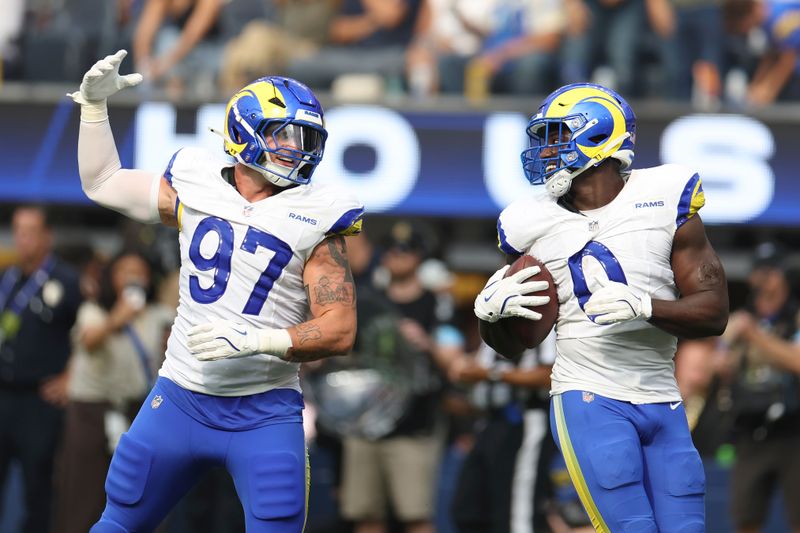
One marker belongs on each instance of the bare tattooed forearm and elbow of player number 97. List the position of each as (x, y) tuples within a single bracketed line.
[(331, 296)]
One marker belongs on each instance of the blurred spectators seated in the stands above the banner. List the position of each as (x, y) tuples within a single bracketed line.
[(709, 52)]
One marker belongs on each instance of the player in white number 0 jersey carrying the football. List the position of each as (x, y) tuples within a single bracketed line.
[(634, 270)]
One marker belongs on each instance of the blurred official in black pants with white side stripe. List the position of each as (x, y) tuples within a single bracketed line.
[(501, 487)]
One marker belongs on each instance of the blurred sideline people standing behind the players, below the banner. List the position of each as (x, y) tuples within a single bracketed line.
[(423, 428)]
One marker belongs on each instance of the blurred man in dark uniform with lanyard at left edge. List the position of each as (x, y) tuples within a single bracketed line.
[(39, 298)]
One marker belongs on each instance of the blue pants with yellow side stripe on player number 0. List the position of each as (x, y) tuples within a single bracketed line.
[(633, 465)]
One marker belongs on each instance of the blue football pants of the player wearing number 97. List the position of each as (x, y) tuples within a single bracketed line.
[(166, 451)]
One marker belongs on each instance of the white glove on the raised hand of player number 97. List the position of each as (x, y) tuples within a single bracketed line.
[(100, 82)]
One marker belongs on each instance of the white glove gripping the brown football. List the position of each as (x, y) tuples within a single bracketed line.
[(504, 297)]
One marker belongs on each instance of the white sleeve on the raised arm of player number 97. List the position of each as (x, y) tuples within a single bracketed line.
[(134, 193)]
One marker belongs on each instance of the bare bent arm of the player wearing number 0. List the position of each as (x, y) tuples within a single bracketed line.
[(702, 308)]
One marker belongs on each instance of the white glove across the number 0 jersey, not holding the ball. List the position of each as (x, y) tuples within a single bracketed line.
[(617, 302)]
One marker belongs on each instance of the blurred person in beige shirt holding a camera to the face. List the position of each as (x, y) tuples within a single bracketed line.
[(118, 349)]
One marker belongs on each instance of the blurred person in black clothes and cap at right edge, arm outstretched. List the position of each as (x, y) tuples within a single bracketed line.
[(764, 343)]
